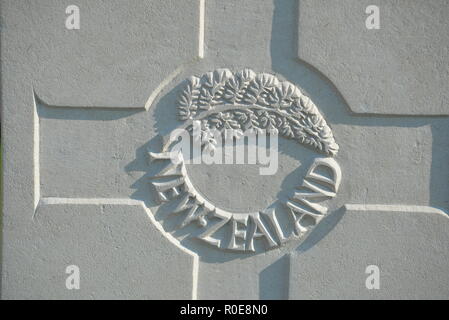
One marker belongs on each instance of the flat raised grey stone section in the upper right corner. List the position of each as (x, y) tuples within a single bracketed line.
[(400, 68)]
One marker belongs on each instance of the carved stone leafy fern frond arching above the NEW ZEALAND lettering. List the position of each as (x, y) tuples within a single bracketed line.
[(245, 100)]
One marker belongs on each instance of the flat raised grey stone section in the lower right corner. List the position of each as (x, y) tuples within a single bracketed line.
[(409, 245)]
